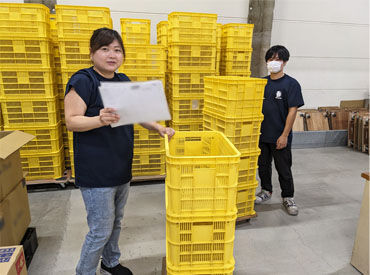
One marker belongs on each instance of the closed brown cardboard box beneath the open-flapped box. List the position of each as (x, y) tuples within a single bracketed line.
[(14, 215)]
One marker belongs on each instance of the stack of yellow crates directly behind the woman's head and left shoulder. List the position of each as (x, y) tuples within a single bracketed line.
[(74, 27)]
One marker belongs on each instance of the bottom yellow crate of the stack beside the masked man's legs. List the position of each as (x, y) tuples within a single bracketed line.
[(245, 199)]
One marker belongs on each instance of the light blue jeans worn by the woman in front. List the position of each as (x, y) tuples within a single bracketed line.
[(104, 207)]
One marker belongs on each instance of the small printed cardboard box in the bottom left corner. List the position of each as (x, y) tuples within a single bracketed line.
[(12, 261)]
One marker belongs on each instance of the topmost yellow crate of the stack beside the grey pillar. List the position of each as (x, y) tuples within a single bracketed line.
[(237, 36)]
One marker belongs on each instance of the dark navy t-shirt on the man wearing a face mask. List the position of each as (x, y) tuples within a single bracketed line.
[(280, 95)]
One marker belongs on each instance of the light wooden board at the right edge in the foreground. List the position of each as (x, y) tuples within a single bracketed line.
[(360, 252)]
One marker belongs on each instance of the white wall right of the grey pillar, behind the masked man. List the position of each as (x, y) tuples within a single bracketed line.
[(329, 45)]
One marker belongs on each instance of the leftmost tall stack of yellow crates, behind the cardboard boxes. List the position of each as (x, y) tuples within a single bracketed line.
[(28, 99)]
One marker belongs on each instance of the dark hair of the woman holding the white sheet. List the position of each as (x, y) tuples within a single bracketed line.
[(103, 37)]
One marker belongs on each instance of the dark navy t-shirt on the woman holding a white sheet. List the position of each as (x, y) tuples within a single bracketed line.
[(102, 156)]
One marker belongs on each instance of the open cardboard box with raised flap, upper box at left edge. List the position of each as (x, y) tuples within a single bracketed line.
[(10, 162)]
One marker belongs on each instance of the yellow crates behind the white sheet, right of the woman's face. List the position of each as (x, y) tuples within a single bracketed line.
[(144, 62)]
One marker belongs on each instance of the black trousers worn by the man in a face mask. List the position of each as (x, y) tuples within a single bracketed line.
[(283, 164)]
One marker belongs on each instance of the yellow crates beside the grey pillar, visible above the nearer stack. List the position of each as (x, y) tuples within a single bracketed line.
[(236, 49)]
